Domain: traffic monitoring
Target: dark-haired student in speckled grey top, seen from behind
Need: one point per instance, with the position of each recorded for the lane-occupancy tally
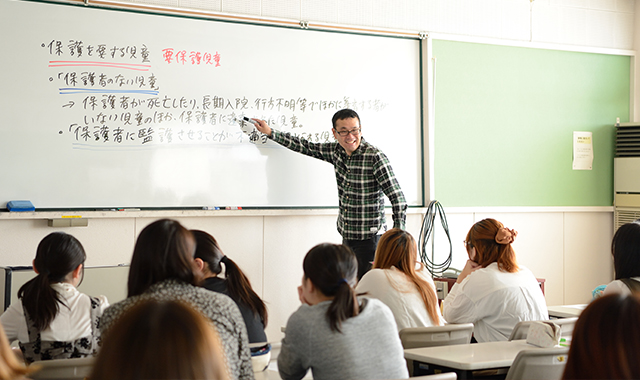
(163, 268)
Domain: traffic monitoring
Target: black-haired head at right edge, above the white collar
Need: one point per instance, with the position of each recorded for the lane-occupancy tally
(625, 248)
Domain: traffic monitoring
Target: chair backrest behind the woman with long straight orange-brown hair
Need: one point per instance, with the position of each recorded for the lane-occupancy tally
(414, 337)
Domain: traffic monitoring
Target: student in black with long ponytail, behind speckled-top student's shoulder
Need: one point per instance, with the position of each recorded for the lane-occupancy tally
(235, 284)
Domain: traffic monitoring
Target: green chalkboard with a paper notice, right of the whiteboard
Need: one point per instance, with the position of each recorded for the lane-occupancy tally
(504, 122)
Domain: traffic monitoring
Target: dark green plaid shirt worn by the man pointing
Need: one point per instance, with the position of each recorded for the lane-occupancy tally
(362, 180)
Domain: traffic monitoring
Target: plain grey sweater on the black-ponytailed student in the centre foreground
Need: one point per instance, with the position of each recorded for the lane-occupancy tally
(368, 347)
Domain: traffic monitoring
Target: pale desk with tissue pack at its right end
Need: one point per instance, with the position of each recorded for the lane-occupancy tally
(464, 359)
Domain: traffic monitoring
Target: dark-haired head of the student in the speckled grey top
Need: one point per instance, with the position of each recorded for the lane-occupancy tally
(164, 250)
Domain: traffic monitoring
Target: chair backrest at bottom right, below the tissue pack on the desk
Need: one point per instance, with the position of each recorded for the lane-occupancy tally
(543, 364)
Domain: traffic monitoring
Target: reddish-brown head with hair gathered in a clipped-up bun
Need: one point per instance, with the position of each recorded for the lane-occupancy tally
(488, 241)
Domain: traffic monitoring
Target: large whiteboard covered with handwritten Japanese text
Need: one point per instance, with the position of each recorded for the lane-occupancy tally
(105, 108)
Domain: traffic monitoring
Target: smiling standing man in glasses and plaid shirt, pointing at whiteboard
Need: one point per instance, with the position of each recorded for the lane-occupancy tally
(363, 175)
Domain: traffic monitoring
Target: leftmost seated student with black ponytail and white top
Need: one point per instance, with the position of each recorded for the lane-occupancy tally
(54, 320)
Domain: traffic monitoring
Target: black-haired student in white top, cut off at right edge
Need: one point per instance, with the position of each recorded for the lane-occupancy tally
(625, 248)
